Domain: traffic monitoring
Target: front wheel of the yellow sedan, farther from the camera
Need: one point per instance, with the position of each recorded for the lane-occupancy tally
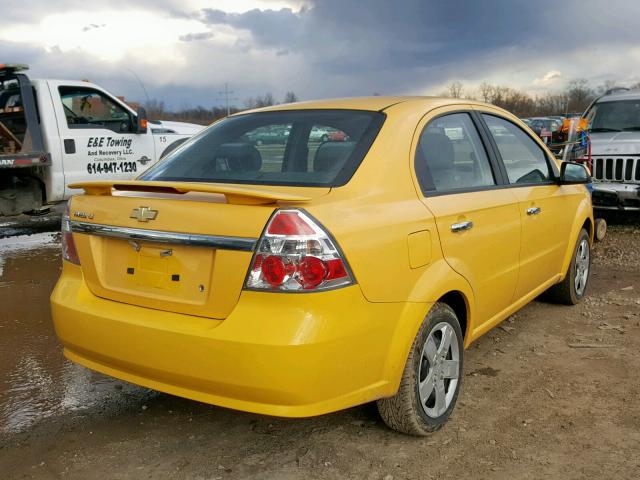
(571, 290)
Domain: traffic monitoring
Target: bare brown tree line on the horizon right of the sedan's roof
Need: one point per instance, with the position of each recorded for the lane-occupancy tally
(575, 97)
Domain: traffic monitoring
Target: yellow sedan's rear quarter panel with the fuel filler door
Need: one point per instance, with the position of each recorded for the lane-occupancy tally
(374, 217)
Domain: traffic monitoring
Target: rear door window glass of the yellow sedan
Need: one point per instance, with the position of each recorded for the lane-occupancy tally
(451, 156)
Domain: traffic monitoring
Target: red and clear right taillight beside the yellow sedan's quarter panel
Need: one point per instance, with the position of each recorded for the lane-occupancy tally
(296, 254)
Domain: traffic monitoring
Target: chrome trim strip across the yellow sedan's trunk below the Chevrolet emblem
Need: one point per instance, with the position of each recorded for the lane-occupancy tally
(157, 236)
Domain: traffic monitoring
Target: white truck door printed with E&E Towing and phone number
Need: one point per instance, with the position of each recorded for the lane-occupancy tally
(97, 135)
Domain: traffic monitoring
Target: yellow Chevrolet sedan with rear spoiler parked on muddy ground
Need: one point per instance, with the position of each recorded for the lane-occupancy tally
(297, 278)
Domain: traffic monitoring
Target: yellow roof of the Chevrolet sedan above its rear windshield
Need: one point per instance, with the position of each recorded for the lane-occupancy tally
(374, 103)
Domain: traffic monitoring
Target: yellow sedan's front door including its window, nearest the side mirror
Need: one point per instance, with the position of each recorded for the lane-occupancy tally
(545, 210)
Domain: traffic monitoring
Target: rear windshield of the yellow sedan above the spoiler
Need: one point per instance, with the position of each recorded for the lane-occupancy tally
(296, 147)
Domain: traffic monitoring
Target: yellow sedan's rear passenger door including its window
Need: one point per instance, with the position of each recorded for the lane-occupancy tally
(477, 219)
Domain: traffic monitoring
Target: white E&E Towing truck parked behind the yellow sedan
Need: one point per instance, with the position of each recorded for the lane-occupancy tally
(57, 132)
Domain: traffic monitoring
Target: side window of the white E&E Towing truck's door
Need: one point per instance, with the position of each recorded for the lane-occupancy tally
(88, 108)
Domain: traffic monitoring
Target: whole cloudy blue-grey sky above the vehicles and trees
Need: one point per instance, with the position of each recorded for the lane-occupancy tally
(185, 50)
